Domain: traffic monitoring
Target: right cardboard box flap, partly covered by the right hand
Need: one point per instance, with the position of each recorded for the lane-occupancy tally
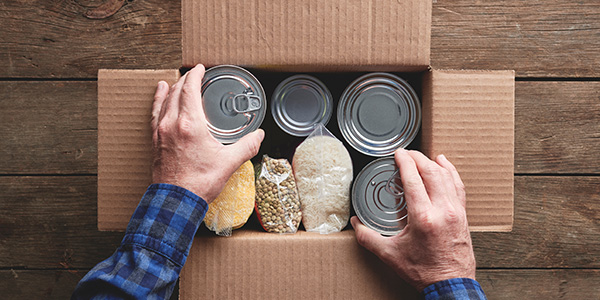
(469, 117)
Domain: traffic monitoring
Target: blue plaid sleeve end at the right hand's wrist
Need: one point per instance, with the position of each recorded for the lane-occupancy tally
(456, 288)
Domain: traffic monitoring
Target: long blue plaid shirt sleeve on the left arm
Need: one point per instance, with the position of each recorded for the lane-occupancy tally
(156, 244)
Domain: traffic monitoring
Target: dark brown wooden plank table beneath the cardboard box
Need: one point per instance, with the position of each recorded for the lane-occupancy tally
(50, 54)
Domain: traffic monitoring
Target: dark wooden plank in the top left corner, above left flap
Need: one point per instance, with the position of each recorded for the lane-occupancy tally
(54, 39)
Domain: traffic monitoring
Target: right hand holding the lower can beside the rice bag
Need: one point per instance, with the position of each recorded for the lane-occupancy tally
(436, 244)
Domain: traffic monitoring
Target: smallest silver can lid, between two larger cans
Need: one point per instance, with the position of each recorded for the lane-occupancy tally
(301, 102)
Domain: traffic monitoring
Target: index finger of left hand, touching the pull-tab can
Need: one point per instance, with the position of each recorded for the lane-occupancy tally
(191, 98)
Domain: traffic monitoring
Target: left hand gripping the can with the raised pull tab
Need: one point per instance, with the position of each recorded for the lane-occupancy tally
(185, 152)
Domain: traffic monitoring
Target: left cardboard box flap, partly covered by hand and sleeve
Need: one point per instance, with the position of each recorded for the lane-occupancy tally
(125, 141)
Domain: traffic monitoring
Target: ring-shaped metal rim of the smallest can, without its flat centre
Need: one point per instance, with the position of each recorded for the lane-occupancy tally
(289, 84)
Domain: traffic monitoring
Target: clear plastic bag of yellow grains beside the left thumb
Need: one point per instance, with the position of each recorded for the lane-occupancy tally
(234, 205)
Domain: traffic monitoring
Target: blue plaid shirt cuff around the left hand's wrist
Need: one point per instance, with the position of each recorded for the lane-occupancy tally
(166, 221)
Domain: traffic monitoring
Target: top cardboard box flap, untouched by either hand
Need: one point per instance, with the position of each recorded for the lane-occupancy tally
(381, 35)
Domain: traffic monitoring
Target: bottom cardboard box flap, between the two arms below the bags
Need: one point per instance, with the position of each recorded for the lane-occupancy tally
(260, 265)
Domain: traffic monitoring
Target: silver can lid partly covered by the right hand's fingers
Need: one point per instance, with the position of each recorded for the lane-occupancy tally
(378, 197)
